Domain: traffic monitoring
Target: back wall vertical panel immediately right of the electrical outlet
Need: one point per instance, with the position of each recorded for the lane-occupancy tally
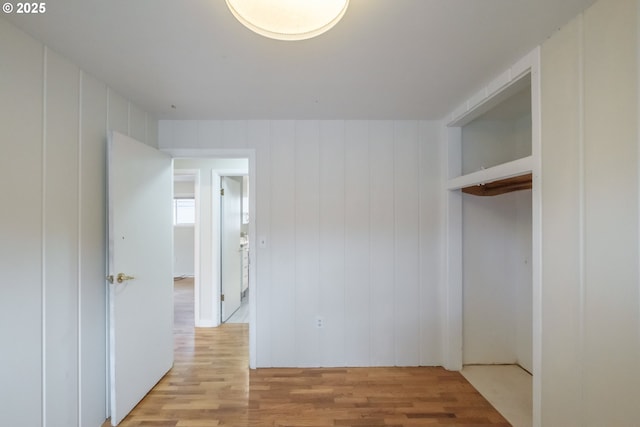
(332, 207)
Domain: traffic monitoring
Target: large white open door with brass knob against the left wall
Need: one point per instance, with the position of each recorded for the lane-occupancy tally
(140, 245)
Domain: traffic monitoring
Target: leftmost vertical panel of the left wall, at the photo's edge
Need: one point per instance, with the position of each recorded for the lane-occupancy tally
(21, 81)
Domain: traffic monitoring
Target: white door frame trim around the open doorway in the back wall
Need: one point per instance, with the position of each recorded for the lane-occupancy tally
(250, 154)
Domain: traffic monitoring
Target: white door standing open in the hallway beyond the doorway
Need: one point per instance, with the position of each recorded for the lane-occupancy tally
(231, 265)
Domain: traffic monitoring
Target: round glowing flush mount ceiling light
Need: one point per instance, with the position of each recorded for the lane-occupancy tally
(288, 19)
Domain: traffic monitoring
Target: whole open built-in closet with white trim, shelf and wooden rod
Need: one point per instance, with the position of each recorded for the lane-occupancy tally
(492, 276)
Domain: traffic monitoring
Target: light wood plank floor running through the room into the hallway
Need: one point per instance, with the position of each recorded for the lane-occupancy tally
(211, 385)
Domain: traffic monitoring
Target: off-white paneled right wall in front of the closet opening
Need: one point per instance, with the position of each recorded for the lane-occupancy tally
(590, 255)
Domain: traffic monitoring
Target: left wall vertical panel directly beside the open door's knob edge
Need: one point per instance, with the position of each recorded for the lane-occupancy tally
(93, 251)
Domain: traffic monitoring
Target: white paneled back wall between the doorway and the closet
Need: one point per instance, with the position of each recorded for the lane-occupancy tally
(351, 213)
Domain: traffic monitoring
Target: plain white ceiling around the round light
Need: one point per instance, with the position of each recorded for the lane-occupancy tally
(387, 59)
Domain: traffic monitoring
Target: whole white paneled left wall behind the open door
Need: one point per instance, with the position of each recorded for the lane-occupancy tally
(52, 234)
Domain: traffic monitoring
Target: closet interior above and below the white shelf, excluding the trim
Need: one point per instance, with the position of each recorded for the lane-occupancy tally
(496, 237)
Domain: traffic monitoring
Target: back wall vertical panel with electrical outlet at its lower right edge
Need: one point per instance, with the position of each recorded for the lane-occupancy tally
(307, 216)
